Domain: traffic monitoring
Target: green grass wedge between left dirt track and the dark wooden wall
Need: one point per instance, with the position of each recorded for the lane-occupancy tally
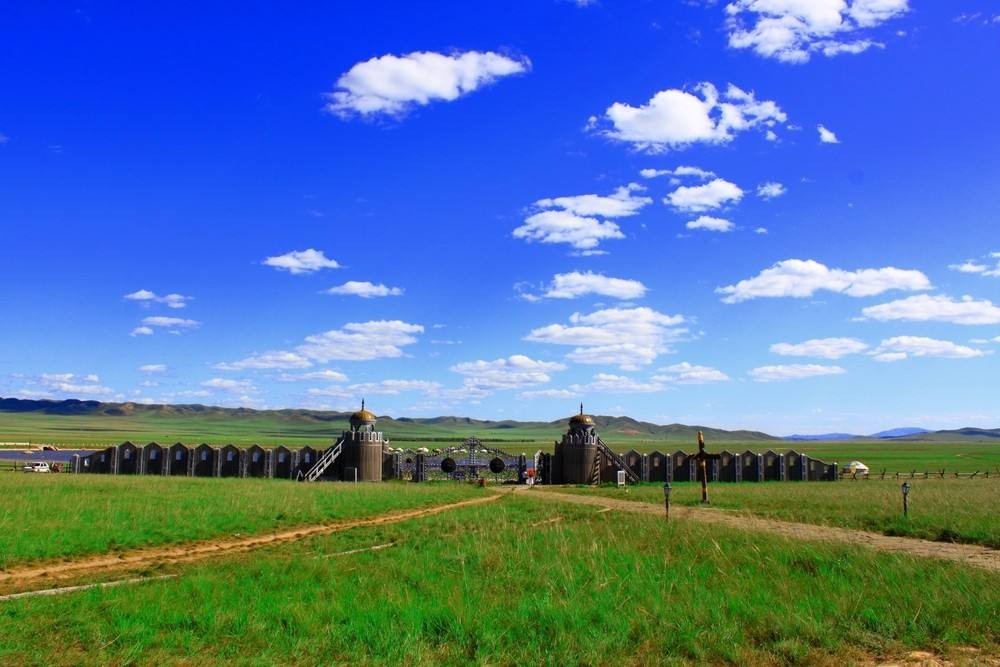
(57, 516)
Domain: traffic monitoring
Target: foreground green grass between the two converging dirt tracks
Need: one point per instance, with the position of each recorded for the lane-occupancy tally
(522, 582)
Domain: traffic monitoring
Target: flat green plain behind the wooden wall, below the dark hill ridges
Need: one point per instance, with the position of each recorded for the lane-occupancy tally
(272, 428)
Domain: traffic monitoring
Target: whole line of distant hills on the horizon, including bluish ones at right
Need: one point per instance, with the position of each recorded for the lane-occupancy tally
(76, 421)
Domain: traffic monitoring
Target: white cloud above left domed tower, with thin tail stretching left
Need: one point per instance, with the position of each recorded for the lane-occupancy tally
(356, 341)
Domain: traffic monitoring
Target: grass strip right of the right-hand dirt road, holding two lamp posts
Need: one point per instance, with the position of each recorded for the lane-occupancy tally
(954, 510)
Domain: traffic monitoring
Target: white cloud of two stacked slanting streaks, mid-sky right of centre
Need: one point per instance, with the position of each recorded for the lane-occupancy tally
(575, 220)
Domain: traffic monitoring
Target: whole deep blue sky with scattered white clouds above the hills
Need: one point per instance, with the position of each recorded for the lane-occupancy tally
(495, 200)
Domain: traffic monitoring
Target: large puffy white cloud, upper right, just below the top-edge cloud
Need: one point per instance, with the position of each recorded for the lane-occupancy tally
(675, 119)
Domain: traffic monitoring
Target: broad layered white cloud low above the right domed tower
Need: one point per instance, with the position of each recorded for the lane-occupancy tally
(625, 337)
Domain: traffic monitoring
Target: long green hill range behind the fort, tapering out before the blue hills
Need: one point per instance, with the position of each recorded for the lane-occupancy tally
(41, 417)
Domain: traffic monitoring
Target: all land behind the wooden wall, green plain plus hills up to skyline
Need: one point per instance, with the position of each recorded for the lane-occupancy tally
(74, 423)
